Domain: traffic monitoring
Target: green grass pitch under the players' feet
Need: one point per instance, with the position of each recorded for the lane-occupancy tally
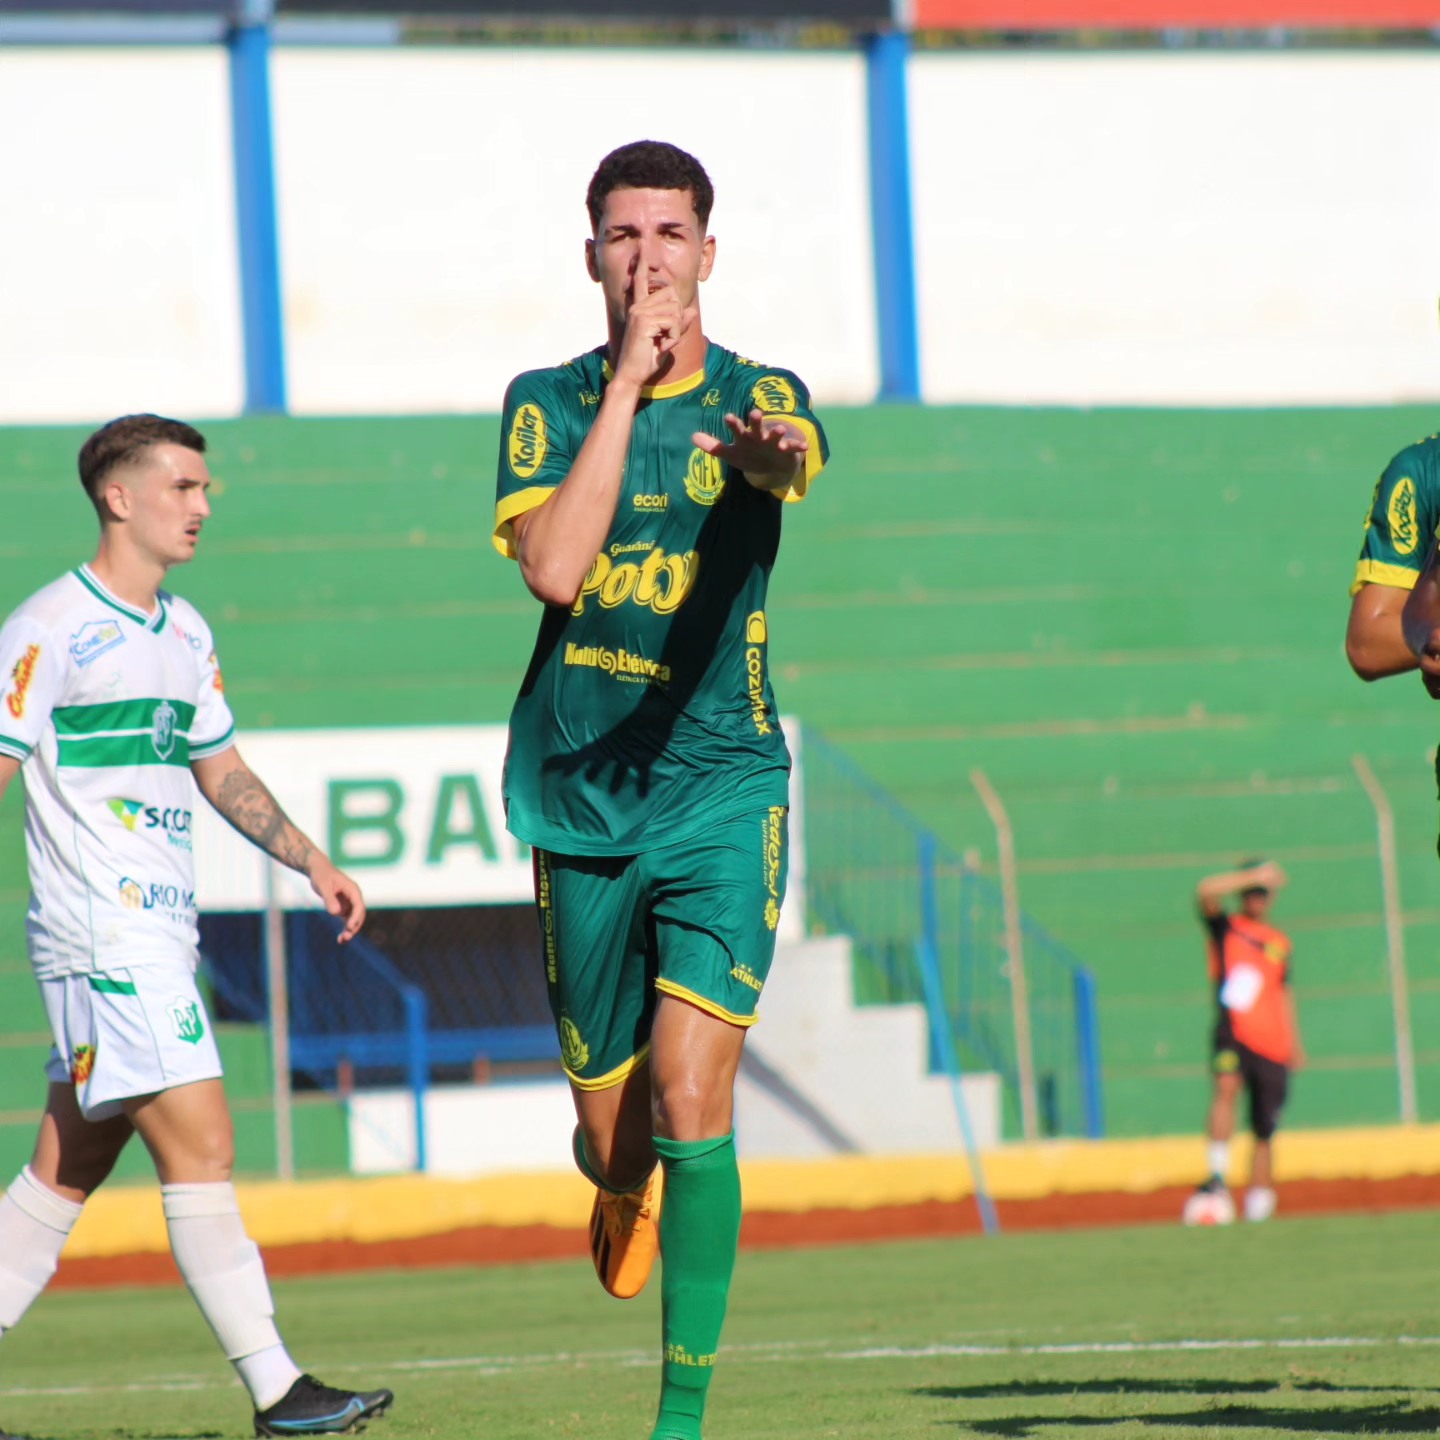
(1300, 1328)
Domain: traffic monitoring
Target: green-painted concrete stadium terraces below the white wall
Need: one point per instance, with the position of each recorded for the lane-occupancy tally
(1130, 620)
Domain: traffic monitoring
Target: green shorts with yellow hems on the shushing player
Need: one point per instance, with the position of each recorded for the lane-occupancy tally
(695, 921)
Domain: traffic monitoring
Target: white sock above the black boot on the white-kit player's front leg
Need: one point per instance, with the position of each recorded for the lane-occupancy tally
(222, 1266)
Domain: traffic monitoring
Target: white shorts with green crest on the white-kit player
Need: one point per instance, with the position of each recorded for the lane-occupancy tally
(127, 1033)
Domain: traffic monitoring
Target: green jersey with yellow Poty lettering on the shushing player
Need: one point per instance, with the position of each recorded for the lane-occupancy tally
(647, 714)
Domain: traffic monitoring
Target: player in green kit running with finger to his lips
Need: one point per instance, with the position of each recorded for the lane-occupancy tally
(642, 489)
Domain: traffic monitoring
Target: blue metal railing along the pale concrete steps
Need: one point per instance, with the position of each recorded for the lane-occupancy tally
(930, 928)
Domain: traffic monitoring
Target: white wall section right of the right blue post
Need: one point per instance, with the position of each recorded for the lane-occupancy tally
(1190, 230)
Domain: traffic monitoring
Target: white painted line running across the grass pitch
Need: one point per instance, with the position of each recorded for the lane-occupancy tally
(750, 1354)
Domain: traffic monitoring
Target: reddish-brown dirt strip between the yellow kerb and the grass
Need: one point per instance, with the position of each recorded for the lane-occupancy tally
(770, 1230)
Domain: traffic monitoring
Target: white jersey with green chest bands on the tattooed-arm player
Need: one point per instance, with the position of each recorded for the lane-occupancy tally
(107, 706)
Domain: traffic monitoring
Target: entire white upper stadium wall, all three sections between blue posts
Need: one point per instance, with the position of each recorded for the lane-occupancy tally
(1150, 228)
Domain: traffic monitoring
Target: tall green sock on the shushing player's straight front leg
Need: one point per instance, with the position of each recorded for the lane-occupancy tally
(699, 1233)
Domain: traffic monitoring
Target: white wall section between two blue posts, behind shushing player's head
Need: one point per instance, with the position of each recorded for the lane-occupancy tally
(433, 214)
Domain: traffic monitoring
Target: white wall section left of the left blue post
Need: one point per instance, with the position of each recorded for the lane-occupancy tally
(119, 283)
